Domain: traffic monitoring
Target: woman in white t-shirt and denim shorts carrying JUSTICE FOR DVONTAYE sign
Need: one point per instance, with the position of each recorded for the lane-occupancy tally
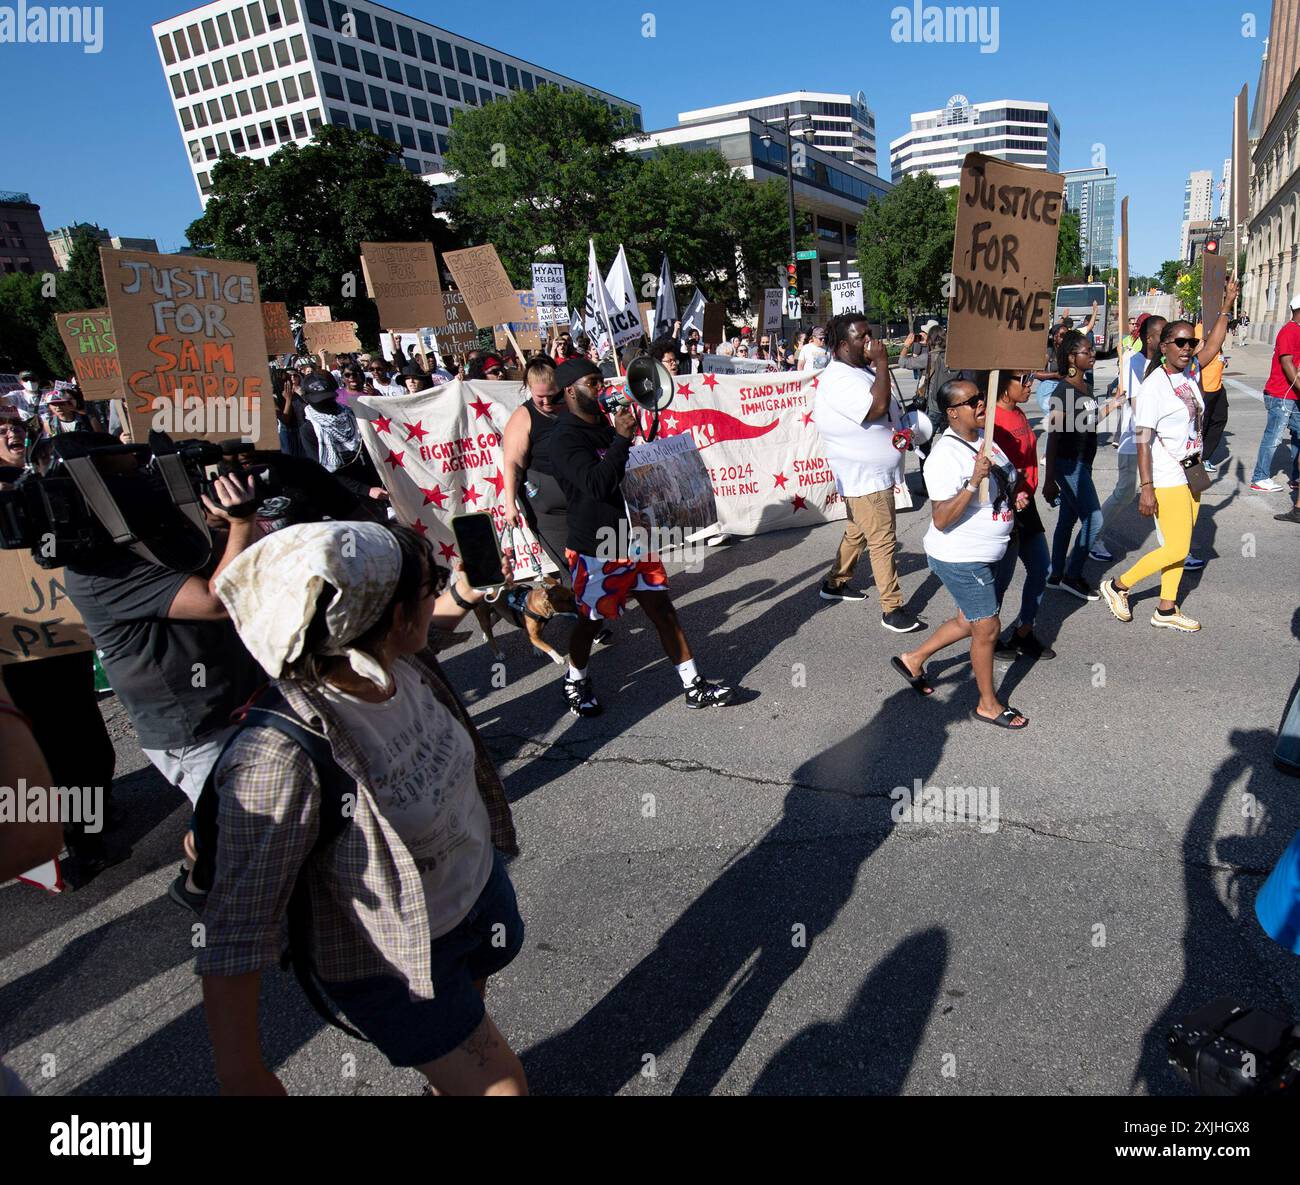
(967, 540)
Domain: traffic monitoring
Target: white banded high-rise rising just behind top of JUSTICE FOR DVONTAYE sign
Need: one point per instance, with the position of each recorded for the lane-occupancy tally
(1011, 129)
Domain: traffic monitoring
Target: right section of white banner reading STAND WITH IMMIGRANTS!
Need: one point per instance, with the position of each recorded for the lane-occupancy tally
(765, 457)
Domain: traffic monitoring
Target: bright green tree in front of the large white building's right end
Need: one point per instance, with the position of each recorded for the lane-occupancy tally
(539, 172)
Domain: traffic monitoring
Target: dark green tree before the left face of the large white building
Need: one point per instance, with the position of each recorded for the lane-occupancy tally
(302, 214)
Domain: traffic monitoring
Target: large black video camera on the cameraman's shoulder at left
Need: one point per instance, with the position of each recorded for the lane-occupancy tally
(83, 500)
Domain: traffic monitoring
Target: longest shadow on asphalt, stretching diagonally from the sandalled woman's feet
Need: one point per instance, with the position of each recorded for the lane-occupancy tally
(800, 874)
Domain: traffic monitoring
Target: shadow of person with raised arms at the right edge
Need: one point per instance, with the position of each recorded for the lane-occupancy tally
(1220, 956)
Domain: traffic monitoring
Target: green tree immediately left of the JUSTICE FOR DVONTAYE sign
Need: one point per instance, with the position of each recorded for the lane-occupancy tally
(905, 248)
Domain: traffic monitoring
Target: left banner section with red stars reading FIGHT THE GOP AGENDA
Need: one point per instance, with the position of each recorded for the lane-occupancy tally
(439, 454)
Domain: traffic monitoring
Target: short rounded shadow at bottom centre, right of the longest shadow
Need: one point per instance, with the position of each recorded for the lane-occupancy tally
(874, 1047)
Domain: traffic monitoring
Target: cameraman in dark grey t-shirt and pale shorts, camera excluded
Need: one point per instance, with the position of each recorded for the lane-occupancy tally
(167, 643)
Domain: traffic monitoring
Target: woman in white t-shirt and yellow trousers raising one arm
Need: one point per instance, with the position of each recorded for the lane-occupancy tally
(1168, 416)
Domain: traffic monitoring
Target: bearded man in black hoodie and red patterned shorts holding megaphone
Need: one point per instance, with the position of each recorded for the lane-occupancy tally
(590, 459)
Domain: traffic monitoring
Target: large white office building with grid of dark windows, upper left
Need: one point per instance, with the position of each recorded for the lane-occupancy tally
(252, 77)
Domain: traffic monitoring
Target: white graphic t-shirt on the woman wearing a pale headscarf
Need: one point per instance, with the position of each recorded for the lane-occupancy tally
(422, 766)
